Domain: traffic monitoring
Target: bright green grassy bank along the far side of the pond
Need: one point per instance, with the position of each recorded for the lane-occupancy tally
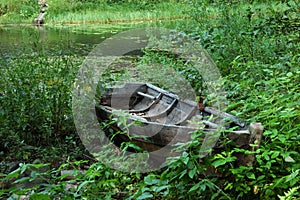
(63, 12)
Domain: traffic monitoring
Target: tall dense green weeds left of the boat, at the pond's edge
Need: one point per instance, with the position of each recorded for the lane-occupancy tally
(36, 97)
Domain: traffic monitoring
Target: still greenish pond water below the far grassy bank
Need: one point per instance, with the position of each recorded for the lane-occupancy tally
(76, 39)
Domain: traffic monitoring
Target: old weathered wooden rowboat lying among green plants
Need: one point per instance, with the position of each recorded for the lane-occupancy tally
(156, 118)
